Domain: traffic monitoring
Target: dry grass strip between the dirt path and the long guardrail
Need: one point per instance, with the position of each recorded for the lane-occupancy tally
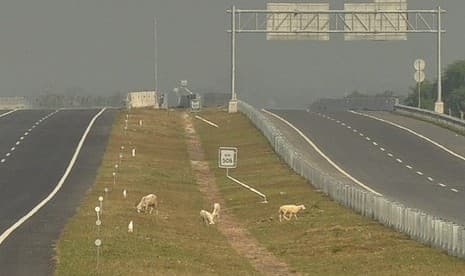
(328, 239)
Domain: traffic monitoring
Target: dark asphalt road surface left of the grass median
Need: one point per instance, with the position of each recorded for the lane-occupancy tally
(36, 147)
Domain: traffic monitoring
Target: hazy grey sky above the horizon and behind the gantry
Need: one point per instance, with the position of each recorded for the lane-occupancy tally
(104, 46)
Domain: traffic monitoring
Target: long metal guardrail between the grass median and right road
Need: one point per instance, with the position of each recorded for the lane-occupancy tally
(419, 225)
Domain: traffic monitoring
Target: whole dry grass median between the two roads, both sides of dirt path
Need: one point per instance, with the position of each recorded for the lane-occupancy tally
(326, 240)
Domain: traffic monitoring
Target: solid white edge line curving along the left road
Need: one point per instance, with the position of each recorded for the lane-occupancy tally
(58, 186)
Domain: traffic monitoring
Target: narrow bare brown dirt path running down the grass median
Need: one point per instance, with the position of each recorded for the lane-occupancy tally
(238, 236)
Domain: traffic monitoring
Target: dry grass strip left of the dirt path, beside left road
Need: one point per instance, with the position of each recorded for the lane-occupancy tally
(173, 243)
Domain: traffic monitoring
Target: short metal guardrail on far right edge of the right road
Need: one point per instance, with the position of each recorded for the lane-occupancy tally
(452, 122)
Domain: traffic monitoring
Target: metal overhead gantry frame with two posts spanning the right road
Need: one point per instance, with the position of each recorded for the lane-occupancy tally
(417, 21)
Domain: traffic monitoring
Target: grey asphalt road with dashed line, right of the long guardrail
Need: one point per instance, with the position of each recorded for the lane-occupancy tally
(390, 160)
